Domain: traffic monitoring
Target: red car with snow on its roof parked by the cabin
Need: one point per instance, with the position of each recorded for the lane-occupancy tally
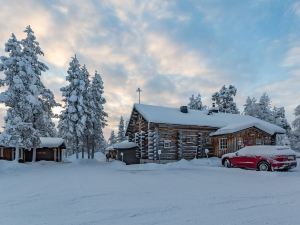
(261, 157)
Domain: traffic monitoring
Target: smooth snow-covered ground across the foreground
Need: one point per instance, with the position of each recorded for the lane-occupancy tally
(95, 192)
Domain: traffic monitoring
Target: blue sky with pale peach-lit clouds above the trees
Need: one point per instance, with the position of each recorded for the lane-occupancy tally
(170, 49)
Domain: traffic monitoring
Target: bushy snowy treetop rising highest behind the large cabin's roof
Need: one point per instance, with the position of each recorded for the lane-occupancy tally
(224, 99)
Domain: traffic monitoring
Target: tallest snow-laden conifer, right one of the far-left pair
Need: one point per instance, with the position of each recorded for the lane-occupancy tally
(33, 68)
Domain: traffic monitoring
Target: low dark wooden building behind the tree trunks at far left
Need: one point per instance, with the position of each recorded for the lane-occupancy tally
(50, 149)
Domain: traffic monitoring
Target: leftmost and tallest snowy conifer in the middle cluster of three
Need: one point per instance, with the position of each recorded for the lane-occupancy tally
(72, 123)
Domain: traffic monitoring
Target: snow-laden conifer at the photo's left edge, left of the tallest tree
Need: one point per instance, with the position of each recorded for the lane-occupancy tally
(18, 130)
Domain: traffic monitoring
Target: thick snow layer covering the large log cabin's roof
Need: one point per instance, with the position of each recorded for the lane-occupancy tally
(228, 122)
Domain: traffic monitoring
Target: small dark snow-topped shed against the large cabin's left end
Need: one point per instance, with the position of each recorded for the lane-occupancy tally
(125, 151)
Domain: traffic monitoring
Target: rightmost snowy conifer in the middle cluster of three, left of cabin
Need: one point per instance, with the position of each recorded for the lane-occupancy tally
(96, 92)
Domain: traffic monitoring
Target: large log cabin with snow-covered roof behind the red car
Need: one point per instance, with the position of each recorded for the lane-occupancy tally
(170, 134)
